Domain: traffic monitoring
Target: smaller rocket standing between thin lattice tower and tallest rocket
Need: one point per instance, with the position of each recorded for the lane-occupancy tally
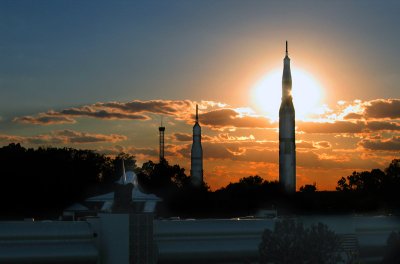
(196, 169)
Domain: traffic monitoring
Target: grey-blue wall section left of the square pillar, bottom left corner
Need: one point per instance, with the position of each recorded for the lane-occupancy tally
(47, 242)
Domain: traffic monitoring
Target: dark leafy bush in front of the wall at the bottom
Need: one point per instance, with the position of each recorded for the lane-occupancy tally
(290, 242)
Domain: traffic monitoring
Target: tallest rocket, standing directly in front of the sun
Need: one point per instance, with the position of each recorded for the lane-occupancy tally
(287, 146)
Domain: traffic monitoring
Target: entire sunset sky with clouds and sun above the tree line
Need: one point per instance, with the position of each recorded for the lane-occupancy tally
(100, 75)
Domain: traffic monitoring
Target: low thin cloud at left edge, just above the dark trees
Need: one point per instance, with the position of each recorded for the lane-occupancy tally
(64, 137)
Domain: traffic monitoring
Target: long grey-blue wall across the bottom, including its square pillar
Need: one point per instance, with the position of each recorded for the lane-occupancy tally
(114, 238)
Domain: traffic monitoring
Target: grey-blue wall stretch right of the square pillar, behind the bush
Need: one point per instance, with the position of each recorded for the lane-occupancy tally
(236, 241)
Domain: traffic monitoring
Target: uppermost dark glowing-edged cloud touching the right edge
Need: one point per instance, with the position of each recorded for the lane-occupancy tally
(383, 108)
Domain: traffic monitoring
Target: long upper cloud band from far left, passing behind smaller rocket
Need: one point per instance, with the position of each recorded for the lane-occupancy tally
(212, 114)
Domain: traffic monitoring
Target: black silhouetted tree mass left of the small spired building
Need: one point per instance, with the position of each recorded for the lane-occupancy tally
(43, 181)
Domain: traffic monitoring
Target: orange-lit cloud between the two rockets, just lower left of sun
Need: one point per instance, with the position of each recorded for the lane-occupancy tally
(230, 118)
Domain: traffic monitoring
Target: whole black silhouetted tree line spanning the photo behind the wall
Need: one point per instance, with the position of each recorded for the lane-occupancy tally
(43, 181)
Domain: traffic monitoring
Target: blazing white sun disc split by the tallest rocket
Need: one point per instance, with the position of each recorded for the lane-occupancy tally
(307, 94)
